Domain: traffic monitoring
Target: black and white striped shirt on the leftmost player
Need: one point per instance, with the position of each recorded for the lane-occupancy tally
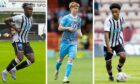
(25, 23)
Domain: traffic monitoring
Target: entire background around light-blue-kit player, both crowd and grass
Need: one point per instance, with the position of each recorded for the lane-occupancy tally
(83, 63)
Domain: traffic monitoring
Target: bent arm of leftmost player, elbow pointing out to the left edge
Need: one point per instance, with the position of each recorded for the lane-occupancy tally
(8, 21)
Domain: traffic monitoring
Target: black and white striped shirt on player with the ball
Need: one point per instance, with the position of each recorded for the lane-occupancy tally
(115, 30)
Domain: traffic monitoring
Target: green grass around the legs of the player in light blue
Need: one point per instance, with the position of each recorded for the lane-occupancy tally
(81, 73)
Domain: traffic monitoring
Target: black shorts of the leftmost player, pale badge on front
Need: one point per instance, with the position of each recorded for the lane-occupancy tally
(23, 47)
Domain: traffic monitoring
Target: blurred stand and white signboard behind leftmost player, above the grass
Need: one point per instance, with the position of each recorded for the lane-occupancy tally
(9, 8)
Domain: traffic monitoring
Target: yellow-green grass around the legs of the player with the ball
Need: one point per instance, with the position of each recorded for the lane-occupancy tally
(131, 68)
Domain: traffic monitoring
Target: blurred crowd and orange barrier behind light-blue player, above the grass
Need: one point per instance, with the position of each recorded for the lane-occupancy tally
(58, 9)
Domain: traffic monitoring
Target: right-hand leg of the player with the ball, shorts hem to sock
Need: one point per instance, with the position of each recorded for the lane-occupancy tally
(121, 53)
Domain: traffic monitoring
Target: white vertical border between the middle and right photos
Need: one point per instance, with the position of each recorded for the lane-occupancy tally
(93, 61)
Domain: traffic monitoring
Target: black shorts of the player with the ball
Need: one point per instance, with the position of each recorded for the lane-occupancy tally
(117, 49)
